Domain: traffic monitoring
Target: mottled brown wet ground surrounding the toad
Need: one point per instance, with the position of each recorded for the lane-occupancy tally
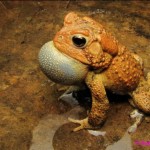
(26, 95)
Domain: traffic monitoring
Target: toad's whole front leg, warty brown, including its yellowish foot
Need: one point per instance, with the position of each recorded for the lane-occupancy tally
(100, 104)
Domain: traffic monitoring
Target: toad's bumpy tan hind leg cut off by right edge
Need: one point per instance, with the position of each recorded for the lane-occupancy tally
(141, 96)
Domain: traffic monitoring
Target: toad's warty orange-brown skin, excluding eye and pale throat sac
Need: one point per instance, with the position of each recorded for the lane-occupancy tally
(112, 65)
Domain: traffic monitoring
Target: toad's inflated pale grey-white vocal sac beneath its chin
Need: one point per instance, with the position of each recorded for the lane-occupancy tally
(59, 67)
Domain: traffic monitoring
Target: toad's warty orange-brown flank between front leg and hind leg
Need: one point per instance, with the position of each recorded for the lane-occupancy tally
(124, 72)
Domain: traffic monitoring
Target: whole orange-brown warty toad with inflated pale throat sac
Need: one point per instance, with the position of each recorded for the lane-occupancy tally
(83, 52)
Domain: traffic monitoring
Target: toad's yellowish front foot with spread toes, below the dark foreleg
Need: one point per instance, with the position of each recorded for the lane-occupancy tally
(83, 124)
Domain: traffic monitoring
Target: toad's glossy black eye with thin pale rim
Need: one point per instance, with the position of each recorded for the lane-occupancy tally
(79, 41)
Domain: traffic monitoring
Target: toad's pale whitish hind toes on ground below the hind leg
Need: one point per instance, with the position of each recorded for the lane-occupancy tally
(138, 116)
